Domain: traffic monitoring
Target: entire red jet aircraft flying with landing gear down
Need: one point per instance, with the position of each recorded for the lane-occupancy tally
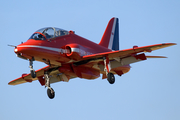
(68, 56)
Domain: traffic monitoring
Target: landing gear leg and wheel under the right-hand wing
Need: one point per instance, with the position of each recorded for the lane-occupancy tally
(107, 68)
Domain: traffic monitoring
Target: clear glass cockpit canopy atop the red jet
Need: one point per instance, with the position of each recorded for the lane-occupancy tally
(48, 32)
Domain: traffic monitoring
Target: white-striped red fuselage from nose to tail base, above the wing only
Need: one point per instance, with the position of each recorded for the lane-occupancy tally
(54, 49)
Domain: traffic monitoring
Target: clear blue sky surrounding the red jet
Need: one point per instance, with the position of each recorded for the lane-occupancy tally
(150, 91)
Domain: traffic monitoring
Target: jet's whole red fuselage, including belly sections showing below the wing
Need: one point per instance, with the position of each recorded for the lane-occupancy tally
(66, 49)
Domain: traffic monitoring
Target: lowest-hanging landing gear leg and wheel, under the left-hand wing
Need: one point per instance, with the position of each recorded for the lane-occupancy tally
(50, 91)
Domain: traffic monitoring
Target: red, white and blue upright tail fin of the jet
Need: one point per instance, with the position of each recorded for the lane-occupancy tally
(110, 38)
